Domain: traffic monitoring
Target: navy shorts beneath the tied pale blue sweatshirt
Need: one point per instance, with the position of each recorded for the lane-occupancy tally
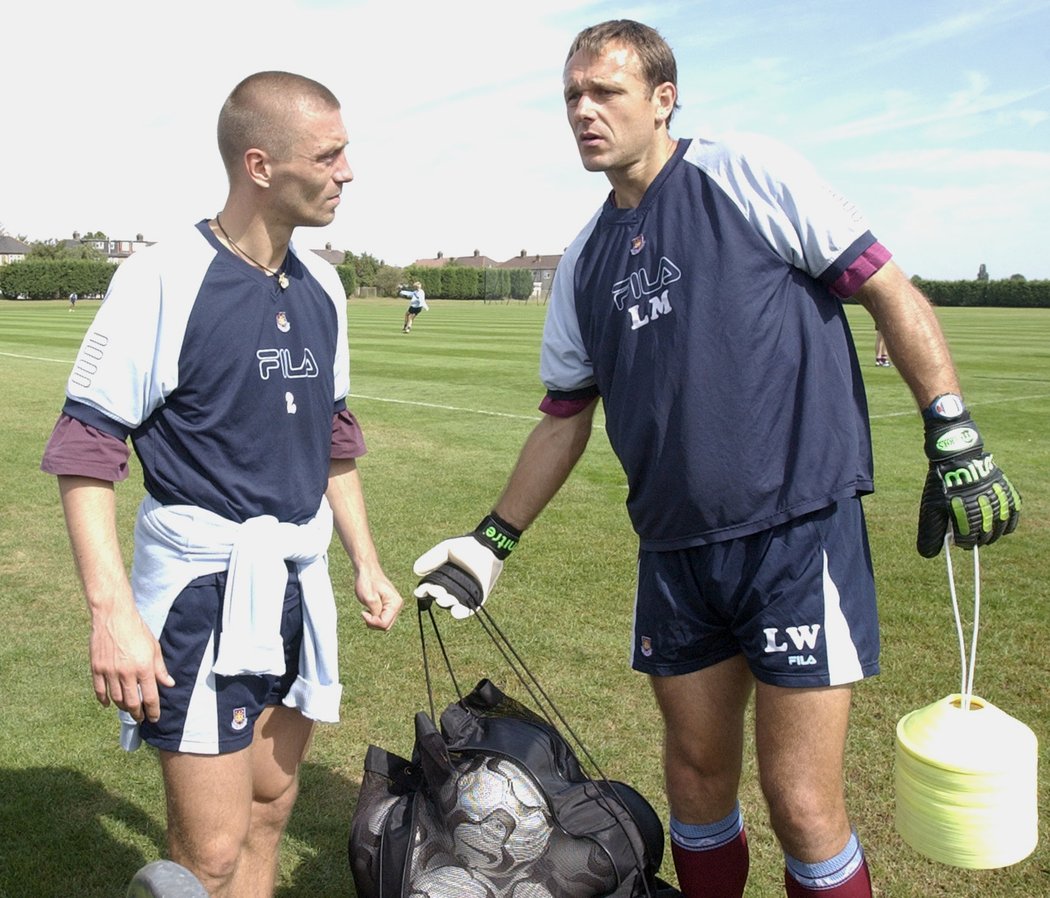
(204, 714)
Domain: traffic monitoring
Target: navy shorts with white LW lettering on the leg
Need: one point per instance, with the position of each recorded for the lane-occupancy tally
(797, 601)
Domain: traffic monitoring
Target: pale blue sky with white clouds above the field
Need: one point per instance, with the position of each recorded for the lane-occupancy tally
(934, 117)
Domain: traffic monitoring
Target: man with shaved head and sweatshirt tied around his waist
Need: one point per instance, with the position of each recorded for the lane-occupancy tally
(222, 357)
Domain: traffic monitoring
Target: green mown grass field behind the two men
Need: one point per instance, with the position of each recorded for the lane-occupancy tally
(445, 411)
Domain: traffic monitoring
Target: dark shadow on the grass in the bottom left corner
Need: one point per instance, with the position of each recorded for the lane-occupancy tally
(62, 836)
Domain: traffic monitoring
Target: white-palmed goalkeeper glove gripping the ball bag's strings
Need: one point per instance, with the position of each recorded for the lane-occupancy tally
(460, 573)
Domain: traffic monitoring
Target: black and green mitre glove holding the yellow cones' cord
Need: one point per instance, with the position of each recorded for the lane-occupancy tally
(963, 486)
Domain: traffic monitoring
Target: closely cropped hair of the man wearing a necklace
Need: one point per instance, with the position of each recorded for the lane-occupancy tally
(259, 113)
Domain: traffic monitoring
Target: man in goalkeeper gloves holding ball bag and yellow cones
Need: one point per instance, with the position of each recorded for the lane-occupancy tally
(703, 307)
